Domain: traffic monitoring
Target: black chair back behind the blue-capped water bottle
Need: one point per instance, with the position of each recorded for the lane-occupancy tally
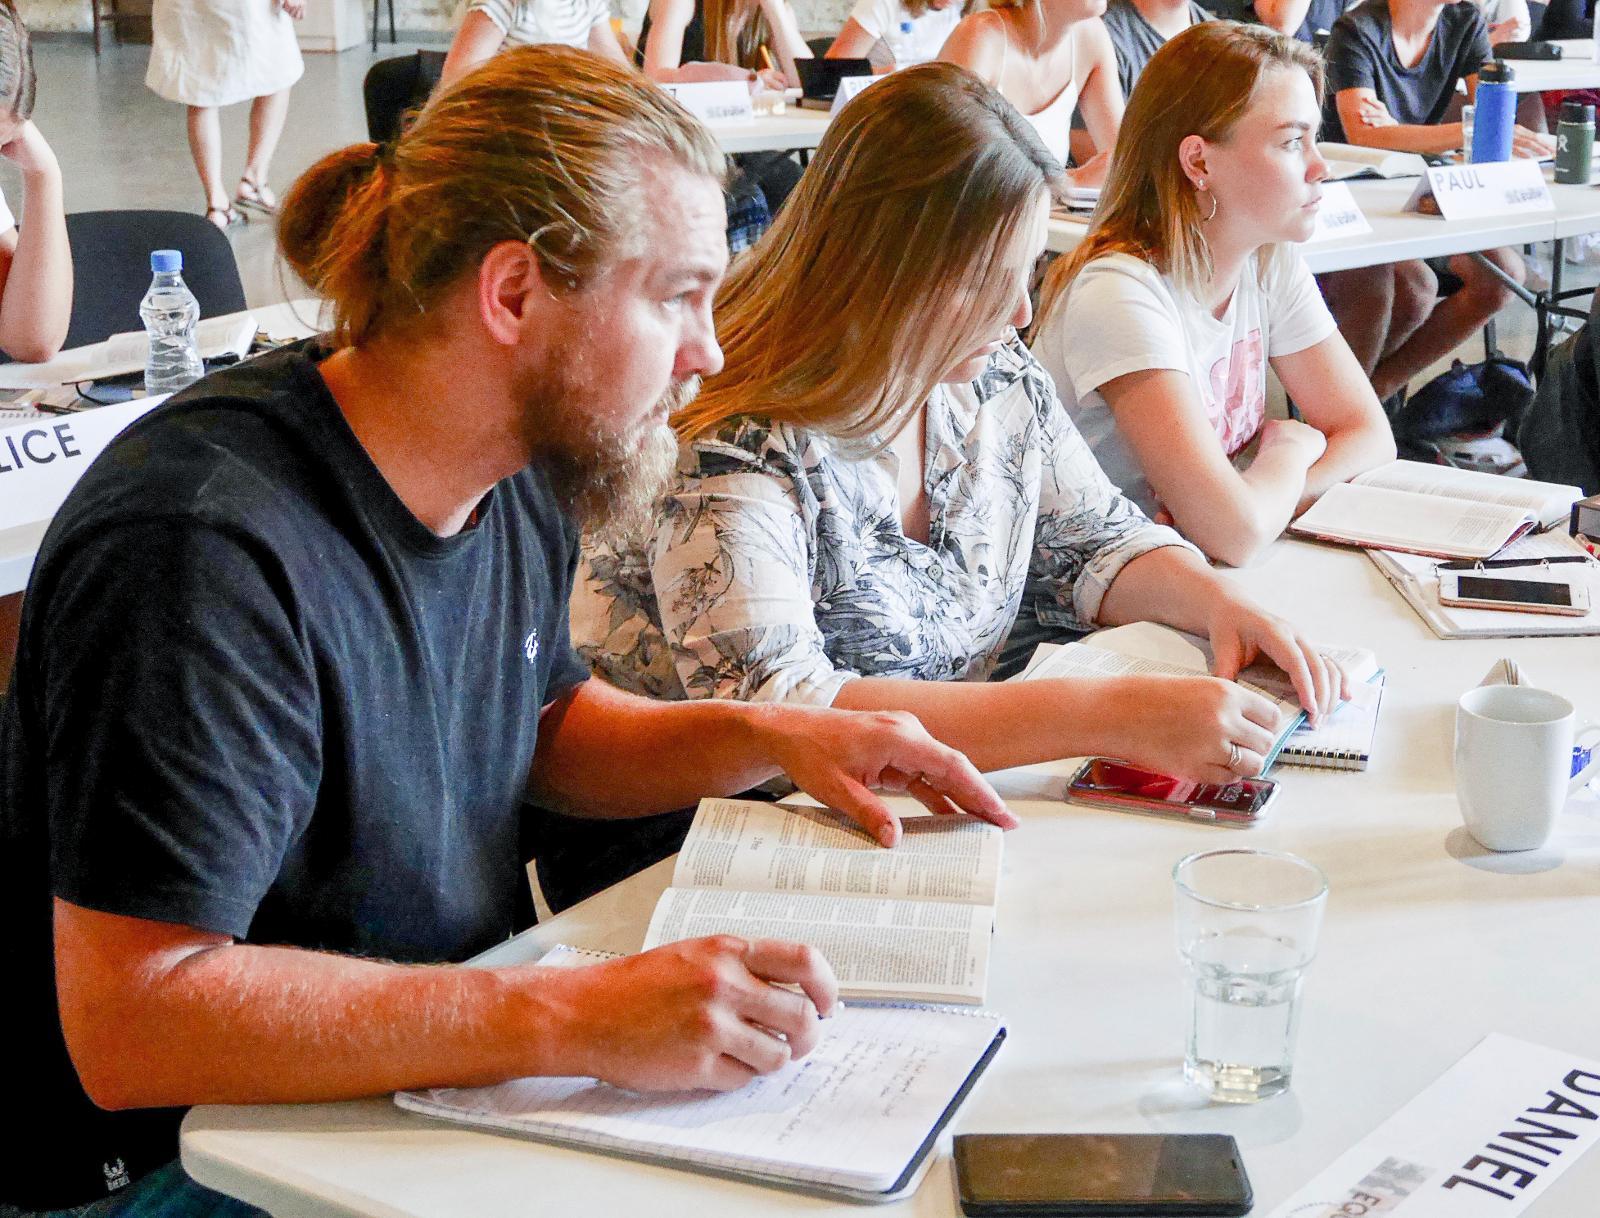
(111, 268)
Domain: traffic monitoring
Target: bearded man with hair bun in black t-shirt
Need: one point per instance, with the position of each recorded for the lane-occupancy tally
(295, 654)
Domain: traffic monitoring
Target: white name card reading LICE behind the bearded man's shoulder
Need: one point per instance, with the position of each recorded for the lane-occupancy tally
(42, 460)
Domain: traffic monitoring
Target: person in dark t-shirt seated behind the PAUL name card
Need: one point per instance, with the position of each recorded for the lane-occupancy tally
(1393, 73)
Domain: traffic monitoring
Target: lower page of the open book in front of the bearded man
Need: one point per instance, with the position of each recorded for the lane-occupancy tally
(932, 952)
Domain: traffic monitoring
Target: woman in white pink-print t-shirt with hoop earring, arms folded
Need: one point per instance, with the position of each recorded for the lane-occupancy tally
(1161, 326)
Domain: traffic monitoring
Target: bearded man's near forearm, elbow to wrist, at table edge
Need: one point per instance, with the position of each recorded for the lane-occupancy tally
(241, 1024)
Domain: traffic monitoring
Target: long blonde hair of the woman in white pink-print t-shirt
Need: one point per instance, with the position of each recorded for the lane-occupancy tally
(1201, 84)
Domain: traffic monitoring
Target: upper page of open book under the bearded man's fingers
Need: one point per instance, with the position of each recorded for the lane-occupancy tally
(772, 847)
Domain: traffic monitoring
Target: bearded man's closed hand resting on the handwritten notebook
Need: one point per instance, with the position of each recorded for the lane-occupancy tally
(703, 1014)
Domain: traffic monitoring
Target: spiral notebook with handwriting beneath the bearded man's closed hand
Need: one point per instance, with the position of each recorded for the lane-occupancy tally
(857, 1118)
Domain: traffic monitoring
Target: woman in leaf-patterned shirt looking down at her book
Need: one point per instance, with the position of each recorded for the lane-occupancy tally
(871, 505)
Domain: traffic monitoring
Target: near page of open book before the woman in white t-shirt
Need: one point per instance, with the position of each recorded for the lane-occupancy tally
(1422, 524)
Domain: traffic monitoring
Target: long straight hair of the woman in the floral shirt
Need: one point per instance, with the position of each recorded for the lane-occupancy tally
(889, 265)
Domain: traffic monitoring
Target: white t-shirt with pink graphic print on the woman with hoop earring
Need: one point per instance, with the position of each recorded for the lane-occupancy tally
(1122, 316)
